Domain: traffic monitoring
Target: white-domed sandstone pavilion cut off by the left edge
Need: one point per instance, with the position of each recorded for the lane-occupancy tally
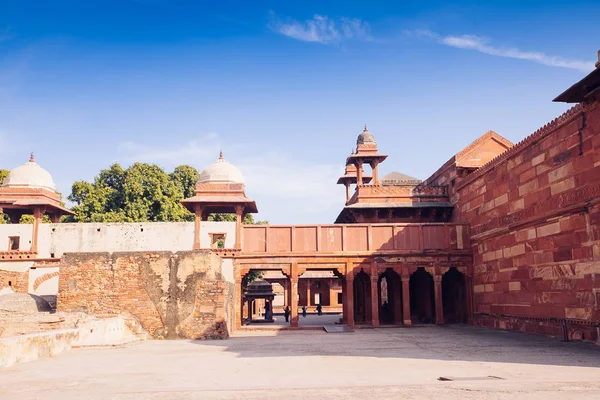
(29, 189)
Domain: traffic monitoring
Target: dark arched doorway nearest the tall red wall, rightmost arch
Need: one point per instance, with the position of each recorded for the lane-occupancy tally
(454, 297)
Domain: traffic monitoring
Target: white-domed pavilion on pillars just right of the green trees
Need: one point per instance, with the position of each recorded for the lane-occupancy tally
(220, 189)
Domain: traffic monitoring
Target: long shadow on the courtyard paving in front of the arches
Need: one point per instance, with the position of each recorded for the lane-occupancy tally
(452, 342)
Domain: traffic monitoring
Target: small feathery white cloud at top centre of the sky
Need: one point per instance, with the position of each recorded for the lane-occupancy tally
(322, 29)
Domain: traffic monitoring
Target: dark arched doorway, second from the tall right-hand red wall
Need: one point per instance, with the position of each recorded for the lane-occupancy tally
(422, 297)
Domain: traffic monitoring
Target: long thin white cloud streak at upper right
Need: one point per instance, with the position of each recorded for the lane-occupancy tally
(483, 45)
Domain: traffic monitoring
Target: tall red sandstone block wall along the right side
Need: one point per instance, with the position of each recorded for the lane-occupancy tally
(535, 224)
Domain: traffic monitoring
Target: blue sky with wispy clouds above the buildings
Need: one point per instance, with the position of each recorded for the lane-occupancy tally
(283, 88)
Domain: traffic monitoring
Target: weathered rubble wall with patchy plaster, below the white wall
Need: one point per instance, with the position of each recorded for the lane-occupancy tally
(173, 295)
